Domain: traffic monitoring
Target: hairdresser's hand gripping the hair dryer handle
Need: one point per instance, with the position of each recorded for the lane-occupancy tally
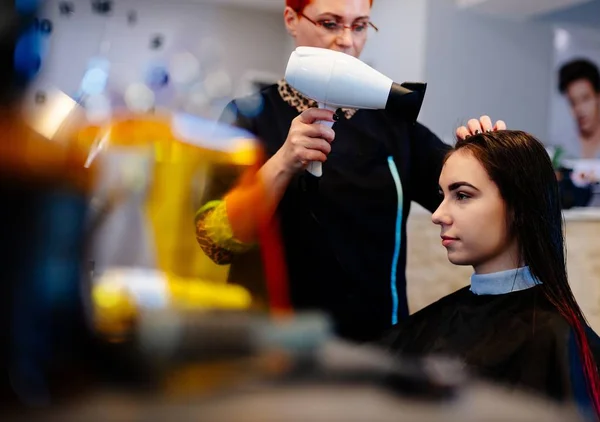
(307, 140)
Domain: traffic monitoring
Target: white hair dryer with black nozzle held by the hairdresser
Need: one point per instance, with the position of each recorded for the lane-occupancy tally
(338, 80)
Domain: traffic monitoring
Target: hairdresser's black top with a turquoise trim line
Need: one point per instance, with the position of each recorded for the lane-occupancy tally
(344, 234)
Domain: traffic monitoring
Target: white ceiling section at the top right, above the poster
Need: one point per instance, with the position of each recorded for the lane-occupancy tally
(518, 8)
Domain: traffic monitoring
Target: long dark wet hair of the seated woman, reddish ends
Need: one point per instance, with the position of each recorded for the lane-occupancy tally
(521, 168)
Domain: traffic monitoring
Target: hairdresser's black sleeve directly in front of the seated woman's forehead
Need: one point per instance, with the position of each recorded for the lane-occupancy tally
(427, 157)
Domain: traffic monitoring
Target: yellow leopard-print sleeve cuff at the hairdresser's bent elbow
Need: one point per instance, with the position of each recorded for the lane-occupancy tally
(214, 234)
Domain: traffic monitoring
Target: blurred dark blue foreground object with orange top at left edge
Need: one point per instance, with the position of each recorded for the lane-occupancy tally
(44, 189)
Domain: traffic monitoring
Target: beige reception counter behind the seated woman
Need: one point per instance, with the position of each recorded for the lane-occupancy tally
(430, 276)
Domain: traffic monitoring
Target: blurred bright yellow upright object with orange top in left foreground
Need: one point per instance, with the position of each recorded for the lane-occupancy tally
(183, 163)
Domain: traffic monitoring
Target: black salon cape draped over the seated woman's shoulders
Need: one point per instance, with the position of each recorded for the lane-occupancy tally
(517, 339)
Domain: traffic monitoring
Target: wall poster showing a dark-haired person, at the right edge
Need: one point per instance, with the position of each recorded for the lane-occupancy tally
(575, 114)
